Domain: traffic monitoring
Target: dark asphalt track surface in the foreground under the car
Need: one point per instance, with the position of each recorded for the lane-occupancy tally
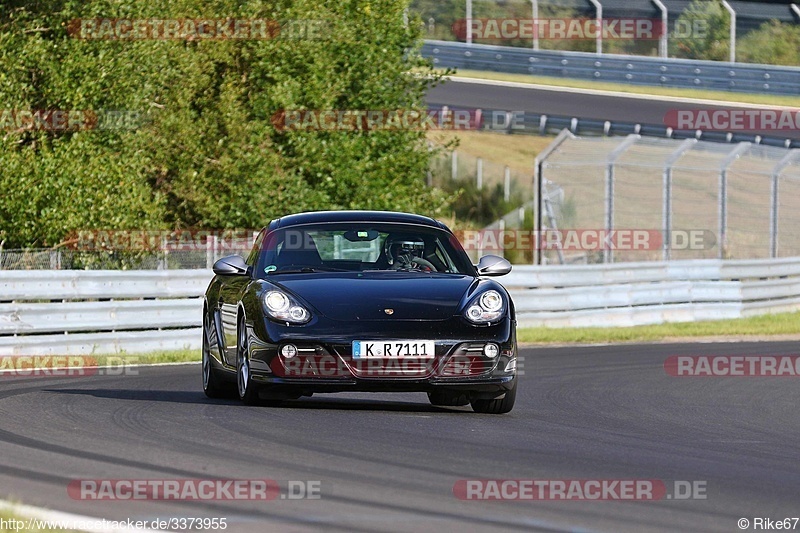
(389, 462)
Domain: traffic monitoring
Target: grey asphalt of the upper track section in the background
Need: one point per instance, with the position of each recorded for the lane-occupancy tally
(616, 108)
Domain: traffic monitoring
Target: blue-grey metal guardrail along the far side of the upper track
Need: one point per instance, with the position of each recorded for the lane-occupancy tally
(635, 70)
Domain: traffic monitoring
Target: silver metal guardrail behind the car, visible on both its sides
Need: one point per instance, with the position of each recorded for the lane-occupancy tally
(556, 296)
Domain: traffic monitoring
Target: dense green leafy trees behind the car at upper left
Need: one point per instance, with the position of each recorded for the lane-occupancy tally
(208, 153)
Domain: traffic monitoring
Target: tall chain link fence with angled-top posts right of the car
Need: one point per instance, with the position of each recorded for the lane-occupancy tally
(688, 199)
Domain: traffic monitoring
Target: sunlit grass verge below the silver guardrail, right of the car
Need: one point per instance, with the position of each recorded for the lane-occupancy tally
(757, 327)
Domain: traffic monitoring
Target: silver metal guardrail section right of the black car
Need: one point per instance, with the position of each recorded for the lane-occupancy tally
(629, 294)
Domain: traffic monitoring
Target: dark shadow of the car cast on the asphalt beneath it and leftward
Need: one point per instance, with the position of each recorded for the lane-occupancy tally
(194, 397)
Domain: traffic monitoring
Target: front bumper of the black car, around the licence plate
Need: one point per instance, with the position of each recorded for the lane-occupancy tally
(324, 361)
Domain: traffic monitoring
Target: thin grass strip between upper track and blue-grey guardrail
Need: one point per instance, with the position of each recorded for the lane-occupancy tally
(703, 94)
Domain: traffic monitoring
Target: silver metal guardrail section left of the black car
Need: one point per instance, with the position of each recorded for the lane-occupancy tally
(83, 312)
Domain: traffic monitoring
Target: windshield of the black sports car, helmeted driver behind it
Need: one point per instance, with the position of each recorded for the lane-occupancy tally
(362, 247)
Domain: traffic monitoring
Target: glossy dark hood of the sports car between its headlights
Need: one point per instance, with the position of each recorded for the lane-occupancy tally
(380, 295)
